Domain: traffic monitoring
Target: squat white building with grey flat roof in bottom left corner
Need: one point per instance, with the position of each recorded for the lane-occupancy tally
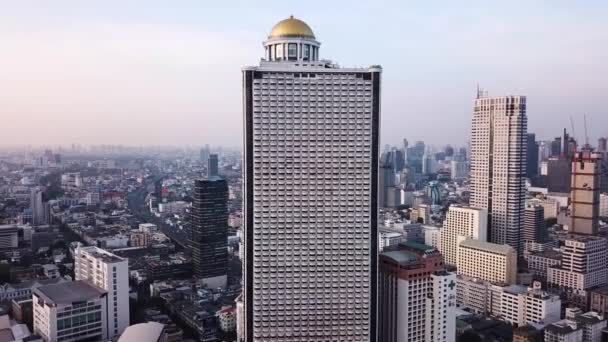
(70, 311)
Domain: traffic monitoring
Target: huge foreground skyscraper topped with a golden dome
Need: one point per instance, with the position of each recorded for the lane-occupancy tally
(311, 238)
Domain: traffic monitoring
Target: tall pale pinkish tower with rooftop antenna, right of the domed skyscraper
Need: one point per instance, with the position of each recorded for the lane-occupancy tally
(498, 165)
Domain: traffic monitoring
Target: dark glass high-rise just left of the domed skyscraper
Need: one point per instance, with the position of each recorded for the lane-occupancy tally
(209, 235)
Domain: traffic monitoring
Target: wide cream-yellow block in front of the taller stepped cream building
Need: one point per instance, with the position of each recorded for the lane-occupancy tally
(488, 261)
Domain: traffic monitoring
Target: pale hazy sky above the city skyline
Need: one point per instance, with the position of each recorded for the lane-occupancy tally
(168, 72)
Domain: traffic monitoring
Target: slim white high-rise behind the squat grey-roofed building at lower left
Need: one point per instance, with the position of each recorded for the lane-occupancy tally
(111, 273)
